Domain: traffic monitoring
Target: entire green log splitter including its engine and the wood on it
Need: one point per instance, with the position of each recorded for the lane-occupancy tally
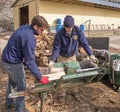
(70, 74)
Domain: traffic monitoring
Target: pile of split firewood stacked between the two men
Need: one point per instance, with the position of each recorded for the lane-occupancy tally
(43, 49)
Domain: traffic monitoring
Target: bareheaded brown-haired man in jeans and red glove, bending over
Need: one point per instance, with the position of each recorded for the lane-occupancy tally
(19, 51)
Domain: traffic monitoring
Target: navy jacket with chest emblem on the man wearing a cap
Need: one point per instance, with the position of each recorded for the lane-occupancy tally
(67, 45)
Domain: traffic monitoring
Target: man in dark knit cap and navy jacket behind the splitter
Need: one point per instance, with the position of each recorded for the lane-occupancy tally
(65, 45)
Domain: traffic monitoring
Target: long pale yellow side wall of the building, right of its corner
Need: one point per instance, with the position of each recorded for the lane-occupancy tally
(52, 11)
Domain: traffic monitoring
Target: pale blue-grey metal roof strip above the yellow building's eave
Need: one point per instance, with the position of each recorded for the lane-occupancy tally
(101, 2)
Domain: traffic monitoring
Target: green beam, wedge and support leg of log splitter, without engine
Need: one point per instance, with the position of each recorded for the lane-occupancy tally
(73, 75)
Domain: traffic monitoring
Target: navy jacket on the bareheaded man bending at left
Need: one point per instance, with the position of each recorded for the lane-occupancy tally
(20, 49)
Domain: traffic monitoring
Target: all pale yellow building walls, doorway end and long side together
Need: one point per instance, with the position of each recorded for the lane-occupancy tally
(53, 10)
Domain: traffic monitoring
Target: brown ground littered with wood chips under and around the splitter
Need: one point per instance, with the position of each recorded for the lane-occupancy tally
(94, 97)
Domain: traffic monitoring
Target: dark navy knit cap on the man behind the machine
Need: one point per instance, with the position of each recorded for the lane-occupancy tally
(68, 21)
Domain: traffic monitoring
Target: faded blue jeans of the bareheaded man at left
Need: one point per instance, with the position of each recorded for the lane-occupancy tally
(16, 79)
